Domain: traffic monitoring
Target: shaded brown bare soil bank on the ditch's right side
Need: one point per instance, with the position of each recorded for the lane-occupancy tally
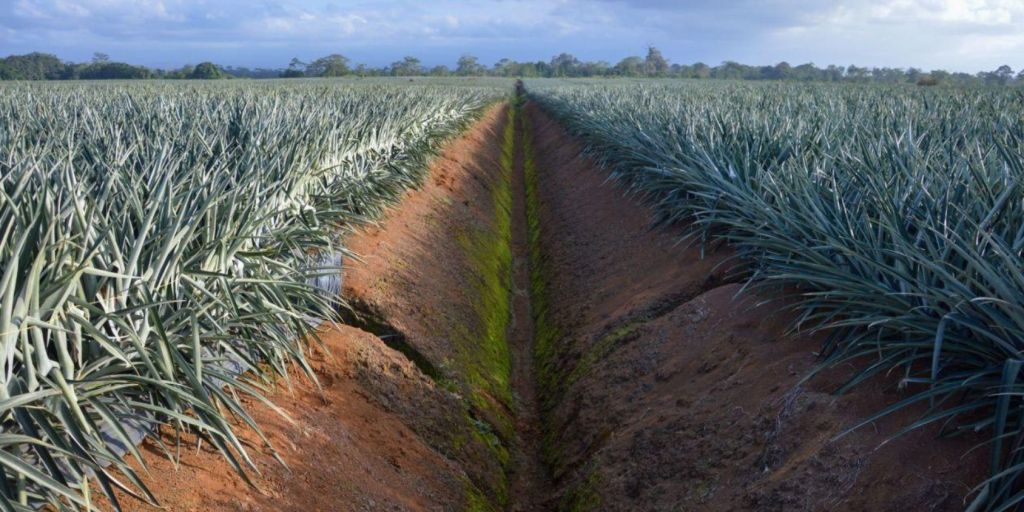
(669, 390)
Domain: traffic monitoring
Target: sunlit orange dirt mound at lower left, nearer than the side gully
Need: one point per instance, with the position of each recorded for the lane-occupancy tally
(346, 450)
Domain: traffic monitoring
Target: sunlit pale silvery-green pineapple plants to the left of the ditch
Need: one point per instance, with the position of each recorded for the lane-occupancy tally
(156, 241)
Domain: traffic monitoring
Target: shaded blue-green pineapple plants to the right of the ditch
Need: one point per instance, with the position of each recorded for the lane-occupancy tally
(895, 214)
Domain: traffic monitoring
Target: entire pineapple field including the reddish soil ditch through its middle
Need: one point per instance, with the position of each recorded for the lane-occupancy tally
(457, 294)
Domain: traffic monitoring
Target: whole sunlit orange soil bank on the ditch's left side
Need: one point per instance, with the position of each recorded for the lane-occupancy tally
(390, 431)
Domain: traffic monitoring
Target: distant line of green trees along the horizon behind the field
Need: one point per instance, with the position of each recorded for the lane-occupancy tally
(655, 65)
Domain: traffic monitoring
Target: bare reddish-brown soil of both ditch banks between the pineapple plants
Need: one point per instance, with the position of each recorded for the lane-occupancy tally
(663, 389)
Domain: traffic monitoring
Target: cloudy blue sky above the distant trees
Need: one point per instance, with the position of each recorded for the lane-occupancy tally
(956, 35)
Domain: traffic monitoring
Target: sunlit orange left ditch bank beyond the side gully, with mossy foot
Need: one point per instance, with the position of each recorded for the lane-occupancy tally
(415, 276)
